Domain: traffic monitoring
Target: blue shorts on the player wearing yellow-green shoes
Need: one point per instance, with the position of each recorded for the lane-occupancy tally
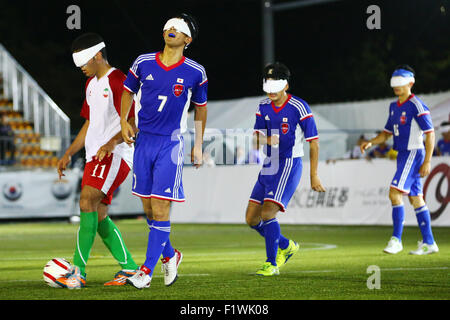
(280, 186)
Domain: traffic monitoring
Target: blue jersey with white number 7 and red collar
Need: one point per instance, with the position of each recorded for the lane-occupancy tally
(166, 92)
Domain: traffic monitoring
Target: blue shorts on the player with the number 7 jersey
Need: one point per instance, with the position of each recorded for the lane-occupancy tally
(158, 167)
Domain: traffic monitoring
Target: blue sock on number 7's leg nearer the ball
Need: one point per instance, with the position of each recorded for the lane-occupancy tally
(157, 240)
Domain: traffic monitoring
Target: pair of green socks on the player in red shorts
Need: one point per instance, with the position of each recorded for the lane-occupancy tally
(111, 237)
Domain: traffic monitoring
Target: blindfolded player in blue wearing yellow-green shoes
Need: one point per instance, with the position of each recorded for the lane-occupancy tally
(282, 122)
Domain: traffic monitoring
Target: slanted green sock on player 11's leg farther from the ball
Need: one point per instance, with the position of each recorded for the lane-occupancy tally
(112, 238)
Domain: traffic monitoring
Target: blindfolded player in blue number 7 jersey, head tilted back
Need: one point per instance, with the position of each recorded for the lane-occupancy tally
(166, 83)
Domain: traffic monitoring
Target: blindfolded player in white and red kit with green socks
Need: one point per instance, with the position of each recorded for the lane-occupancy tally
(108, 160)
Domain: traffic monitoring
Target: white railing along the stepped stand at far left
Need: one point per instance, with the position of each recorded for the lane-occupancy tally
(27, 96)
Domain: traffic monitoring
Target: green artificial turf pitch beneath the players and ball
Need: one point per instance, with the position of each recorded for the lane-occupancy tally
(220, 261)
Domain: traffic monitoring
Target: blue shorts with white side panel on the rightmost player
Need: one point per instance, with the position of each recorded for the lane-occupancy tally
(407, 178)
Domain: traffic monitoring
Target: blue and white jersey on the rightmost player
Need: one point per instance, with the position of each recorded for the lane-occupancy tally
(407, 122)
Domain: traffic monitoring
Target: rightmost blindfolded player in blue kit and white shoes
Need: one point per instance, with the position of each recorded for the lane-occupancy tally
(409, 119)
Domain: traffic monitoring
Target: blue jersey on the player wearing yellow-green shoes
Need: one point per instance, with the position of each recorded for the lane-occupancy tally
(292, 121)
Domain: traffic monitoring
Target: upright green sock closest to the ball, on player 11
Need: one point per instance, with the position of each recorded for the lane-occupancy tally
(85, 239)
